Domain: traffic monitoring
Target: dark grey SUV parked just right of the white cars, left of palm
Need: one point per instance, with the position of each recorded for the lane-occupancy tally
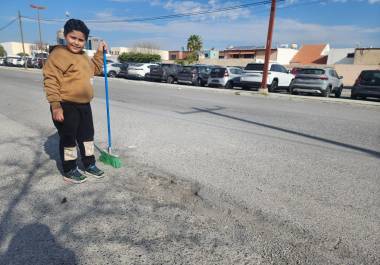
(164, 72)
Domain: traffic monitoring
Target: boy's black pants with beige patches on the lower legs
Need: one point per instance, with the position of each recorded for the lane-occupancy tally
(76, 129)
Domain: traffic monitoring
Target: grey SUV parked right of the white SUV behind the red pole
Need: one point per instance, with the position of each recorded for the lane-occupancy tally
(323, 81)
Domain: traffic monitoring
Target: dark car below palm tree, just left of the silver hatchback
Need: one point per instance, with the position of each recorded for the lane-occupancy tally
(195, 74)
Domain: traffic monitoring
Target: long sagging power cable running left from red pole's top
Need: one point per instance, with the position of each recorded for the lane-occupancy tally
(179, 15)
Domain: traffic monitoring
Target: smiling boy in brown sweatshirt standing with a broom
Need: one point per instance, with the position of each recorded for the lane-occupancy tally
(68, 76)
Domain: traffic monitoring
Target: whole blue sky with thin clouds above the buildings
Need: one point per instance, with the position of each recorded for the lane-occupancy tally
(342, 23)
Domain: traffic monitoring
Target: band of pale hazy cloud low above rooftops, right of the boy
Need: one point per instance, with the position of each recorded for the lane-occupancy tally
(252, 31)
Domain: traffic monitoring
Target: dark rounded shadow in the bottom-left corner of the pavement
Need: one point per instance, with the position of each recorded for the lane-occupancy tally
(35, 244)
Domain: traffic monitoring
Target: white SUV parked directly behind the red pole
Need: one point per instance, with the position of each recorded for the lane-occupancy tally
(278, 76)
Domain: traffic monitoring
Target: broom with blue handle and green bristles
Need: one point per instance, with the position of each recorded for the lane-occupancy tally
(106, 156)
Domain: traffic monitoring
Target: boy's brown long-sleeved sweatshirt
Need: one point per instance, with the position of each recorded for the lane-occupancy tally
(68, 76)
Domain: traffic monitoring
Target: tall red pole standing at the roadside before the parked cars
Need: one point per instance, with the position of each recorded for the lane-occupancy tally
(264, 89)
